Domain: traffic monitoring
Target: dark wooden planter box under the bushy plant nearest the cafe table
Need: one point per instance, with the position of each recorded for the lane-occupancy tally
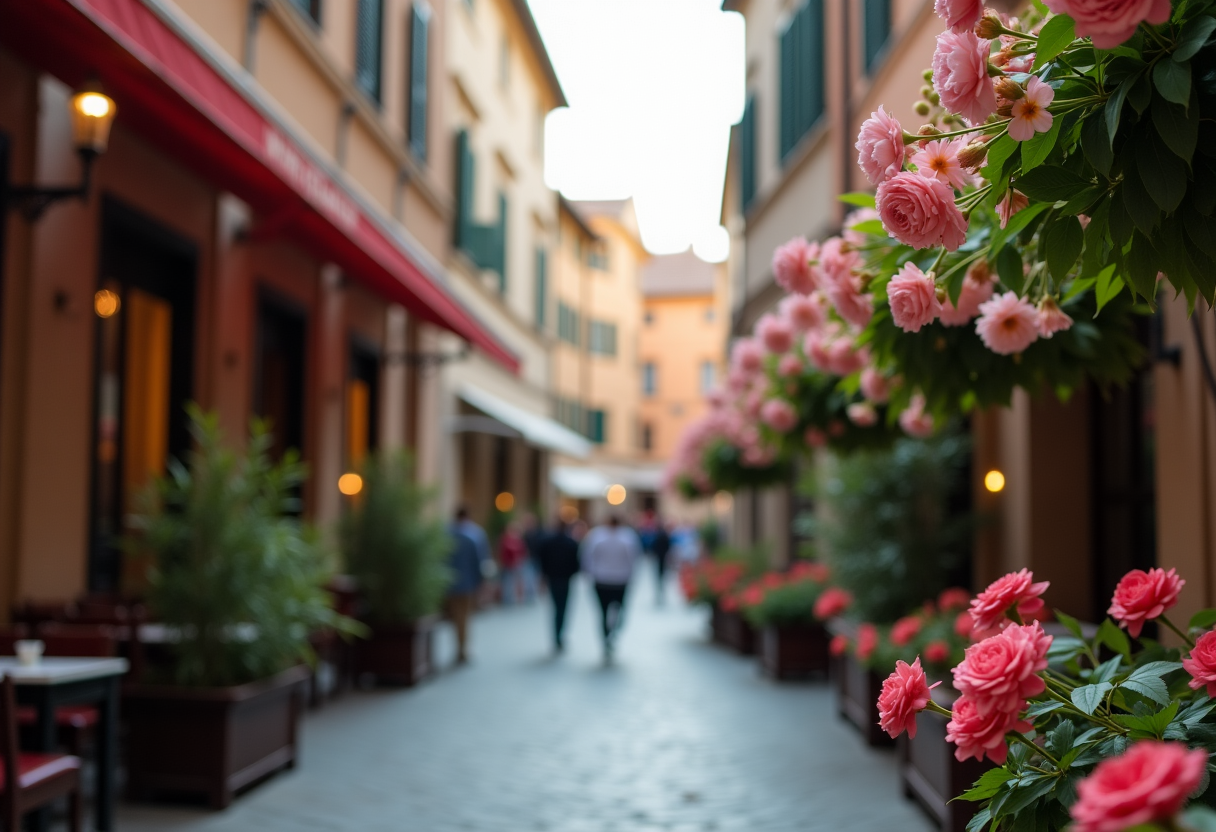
(211, 741)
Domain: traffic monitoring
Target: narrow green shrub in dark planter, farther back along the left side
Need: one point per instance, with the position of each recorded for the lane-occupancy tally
(397, 549)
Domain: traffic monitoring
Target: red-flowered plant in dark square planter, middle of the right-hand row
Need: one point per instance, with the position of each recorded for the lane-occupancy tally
(786, 609)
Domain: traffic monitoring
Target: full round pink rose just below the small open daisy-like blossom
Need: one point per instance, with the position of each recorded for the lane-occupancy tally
(921, 212)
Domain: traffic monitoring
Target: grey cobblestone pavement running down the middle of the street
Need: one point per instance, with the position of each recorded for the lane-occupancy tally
(677, 735)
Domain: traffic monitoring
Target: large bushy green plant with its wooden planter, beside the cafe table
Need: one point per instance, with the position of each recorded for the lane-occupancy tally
(238, 582)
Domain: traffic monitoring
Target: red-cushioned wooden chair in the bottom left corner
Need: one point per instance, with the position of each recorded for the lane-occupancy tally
(41, 778)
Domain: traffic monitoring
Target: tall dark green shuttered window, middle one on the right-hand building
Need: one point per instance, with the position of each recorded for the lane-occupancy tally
(802, 75)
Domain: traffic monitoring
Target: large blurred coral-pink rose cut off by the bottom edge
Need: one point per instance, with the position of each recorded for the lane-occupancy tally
(1150, 783)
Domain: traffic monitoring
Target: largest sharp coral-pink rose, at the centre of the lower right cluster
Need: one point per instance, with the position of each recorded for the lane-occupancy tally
(1001, 672)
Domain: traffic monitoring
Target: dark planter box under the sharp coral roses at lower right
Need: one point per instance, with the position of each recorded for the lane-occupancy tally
(931, 774)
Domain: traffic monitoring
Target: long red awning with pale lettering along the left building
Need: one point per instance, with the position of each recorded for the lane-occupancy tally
(172, 95)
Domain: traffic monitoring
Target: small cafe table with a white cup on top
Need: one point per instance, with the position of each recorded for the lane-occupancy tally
(58, 682)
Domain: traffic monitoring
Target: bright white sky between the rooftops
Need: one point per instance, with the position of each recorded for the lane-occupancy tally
(654, 87)
